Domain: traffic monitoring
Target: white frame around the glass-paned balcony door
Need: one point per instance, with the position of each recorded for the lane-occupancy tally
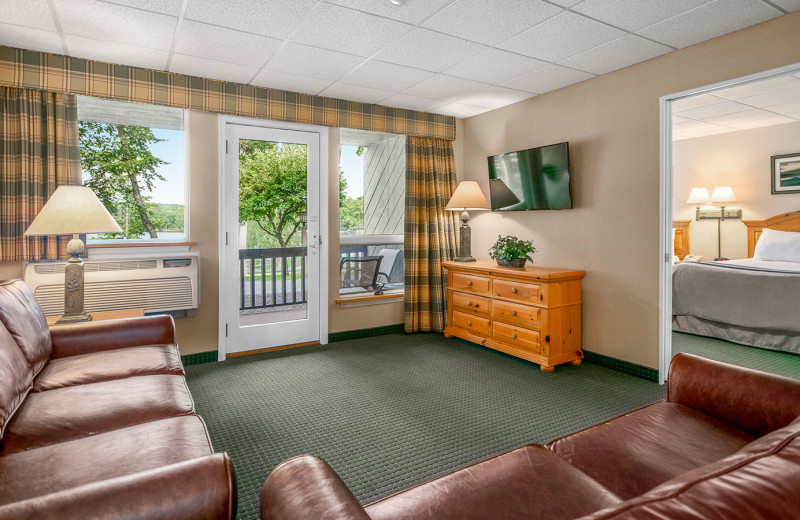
(223, 120)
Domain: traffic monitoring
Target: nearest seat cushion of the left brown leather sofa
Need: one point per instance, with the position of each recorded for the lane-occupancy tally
(121, 452)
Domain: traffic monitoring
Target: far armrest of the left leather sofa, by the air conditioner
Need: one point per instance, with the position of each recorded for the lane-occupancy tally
(94, 336)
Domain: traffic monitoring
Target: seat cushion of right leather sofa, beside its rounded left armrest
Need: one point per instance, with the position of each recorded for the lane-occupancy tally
(529, 482)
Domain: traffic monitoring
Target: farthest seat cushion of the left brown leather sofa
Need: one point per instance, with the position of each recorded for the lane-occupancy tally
(109, 365)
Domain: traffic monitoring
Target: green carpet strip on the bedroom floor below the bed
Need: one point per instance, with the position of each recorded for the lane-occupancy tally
(781, 363)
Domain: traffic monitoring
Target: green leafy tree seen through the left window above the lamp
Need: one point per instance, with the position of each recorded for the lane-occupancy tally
(120, 164)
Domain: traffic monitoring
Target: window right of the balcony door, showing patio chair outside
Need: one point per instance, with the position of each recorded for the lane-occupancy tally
(371, 214)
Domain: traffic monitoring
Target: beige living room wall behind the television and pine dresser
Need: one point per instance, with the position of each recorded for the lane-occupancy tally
(612, 125)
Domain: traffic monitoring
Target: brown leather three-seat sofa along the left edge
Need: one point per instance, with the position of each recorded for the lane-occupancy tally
(96, 421)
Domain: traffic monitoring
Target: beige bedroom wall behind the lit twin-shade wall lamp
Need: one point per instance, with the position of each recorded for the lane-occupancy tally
(740, 160)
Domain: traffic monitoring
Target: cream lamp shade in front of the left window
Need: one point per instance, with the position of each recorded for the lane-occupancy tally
(72, 210)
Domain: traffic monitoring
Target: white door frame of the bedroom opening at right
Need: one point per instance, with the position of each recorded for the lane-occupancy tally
(665, 214)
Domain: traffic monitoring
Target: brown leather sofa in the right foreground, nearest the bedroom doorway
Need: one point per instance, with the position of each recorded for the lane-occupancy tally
(725, 444)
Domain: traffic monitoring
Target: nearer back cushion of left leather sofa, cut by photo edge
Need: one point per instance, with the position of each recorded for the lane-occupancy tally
(15, 377)
